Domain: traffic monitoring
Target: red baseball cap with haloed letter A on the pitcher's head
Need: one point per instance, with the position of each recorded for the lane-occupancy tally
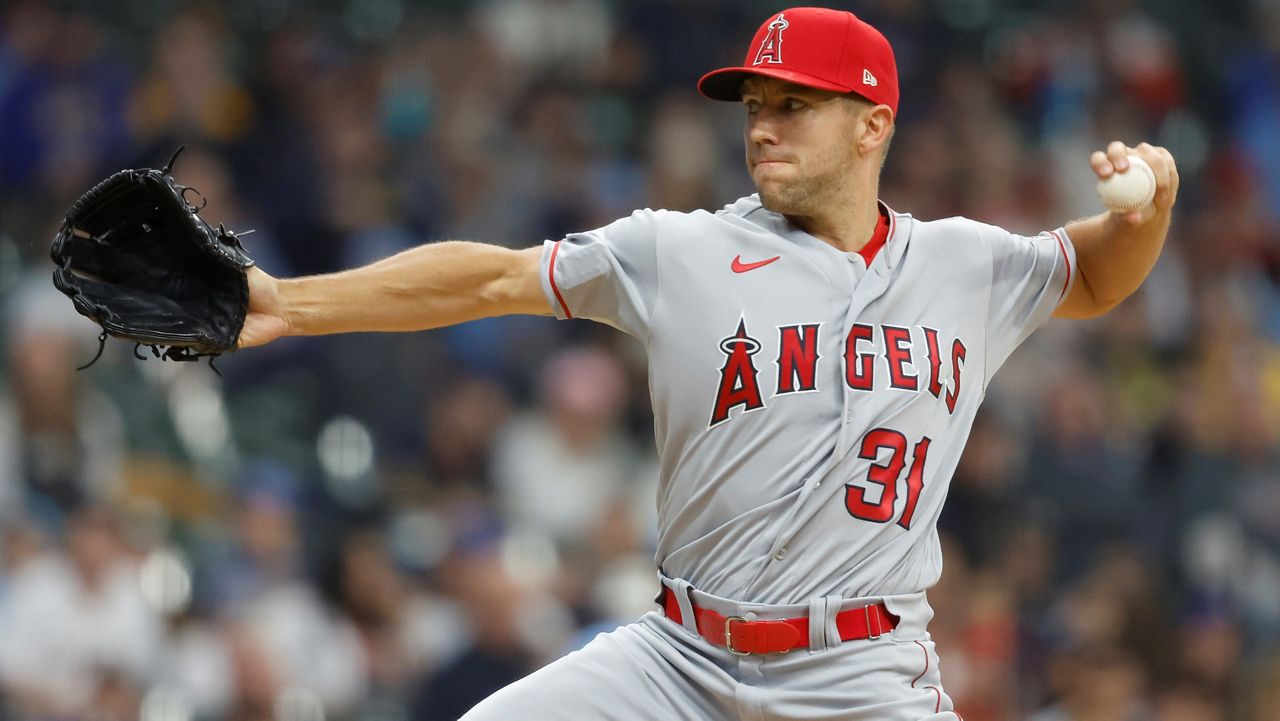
(815, 48)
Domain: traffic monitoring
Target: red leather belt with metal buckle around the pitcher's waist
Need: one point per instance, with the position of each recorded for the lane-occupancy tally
(744, 637)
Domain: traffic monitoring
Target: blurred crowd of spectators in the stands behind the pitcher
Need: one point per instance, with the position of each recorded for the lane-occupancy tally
(391, 527)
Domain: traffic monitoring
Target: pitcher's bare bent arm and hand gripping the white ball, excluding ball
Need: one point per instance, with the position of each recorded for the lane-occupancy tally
(1116, 252)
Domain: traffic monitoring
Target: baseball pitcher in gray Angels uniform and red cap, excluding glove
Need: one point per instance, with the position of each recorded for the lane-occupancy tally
(816, 362)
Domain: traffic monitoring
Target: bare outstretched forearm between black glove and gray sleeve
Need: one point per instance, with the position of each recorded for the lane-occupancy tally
(424, 288)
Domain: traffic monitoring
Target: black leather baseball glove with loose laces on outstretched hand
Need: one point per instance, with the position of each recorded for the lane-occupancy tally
(138, 259)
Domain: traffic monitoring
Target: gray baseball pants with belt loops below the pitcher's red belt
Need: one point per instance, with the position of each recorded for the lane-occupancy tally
(659, 670)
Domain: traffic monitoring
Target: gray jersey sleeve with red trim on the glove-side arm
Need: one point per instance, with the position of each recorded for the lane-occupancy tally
(609, 275)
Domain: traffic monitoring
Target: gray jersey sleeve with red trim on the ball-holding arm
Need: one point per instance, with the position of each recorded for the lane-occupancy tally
(1030, 277)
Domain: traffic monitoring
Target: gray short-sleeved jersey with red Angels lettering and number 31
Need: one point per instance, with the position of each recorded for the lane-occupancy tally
(810, 408)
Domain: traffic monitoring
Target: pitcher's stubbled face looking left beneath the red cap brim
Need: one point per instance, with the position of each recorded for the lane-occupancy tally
(801, 145)
